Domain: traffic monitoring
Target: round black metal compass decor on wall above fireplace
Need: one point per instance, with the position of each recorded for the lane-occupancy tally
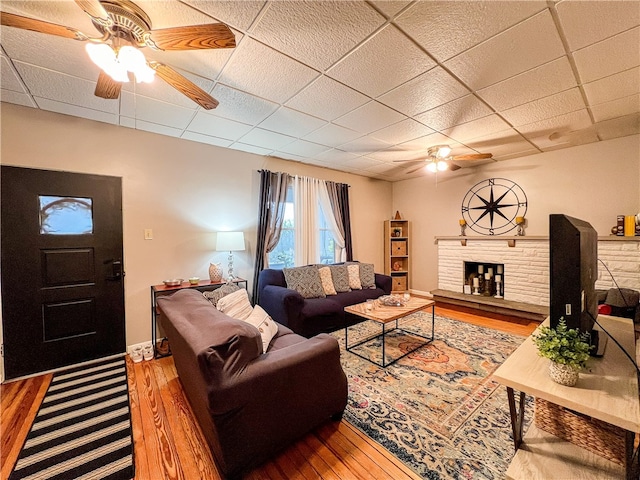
(491, 206)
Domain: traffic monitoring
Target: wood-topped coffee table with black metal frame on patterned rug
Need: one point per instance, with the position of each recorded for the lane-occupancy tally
(385, 315)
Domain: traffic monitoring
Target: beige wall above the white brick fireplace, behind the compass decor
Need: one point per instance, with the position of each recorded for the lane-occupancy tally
(594, 182)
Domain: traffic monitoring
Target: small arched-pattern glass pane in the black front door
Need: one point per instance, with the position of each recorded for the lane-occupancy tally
(65, 215)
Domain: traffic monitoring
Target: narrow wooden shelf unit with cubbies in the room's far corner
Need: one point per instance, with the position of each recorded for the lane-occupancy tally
(397, 253)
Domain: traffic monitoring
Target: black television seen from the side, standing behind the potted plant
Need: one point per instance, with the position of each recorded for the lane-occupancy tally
(573, 252)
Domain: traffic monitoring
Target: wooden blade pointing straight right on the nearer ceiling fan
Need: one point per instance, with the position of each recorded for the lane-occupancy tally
(214, 35)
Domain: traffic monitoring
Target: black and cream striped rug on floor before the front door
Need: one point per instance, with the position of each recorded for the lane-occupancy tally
(83, 427)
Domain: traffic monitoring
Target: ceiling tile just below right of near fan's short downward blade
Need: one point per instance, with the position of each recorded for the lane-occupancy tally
(155, 111)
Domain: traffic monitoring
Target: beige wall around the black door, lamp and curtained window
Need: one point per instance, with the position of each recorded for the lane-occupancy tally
(185, 191)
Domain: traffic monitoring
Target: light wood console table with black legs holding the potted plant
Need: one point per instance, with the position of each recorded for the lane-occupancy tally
(607, 390)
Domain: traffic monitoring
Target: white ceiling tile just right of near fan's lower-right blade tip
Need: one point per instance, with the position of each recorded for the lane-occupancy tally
(241, 106)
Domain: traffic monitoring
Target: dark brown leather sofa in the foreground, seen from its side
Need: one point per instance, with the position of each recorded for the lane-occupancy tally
(250, 405)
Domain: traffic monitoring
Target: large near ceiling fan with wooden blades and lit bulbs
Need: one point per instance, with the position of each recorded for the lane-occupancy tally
(125, 29)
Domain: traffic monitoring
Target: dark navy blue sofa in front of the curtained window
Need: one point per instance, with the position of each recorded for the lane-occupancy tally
(310, 316)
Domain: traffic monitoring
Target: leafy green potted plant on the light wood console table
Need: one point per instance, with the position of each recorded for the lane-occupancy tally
(567, 348)
